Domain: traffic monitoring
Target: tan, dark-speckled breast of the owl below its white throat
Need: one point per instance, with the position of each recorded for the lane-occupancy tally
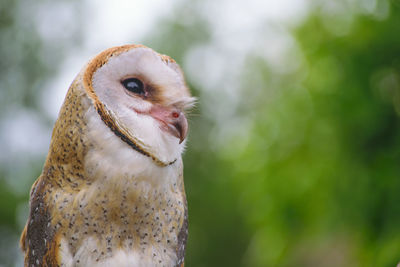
(129, 224)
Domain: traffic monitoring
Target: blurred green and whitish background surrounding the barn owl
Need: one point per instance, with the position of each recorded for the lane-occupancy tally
(294, 150)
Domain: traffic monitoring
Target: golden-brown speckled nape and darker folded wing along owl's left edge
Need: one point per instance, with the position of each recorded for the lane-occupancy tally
(63, 171)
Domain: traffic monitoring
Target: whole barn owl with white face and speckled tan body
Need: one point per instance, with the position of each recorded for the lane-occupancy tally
(111, 192)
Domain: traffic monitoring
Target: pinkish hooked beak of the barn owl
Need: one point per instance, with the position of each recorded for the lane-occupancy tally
(173, 121)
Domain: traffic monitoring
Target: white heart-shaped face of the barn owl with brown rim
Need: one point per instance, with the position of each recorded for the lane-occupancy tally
(142, 96)
